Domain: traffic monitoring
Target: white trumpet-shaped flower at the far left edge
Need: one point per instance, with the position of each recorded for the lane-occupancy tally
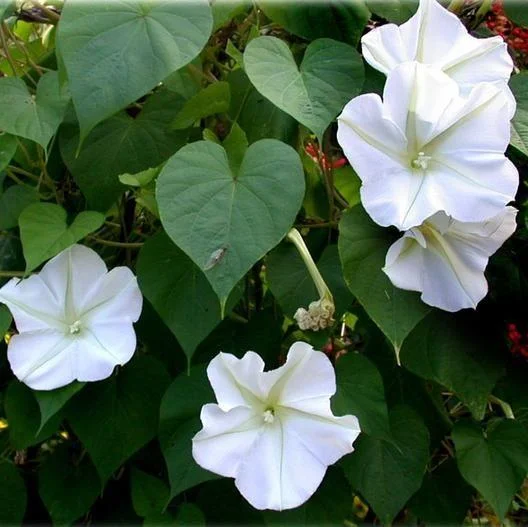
(74, 320)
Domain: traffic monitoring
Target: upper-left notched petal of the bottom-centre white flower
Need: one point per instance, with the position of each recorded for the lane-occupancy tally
(235, 381)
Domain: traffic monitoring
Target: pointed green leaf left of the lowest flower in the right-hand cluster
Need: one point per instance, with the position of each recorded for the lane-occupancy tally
(363, 246)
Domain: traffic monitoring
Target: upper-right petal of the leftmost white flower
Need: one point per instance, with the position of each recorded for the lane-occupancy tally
(115, 297)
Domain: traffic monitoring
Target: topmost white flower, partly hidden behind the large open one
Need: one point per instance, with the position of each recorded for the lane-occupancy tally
(436, 36)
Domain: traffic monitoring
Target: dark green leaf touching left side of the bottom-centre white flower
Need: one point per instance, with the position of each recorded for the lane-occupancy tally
(179, 422)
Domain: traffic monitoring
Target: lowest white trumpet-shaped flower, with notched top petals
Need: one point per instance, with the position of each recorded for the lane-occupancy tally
(274, 431)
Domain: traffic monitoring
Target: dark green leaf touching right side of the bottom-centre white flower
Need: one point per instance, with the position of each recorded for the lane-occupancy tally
(360, 392)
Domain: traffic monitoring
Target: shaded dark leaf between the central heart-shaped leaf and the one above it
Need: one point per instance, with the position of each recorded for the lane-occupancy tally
(255, 114)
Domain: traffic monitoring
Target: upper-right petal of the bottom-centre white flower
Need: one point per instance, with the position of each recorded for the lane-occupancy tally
(288, 384)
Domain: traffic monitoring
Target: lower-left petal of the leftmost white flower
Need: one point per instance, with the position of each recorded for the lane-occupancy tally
(43, 359)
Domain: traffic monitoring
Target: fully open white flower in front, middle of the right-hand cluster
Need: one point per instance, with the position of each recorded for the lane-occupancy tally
(426, 149)
